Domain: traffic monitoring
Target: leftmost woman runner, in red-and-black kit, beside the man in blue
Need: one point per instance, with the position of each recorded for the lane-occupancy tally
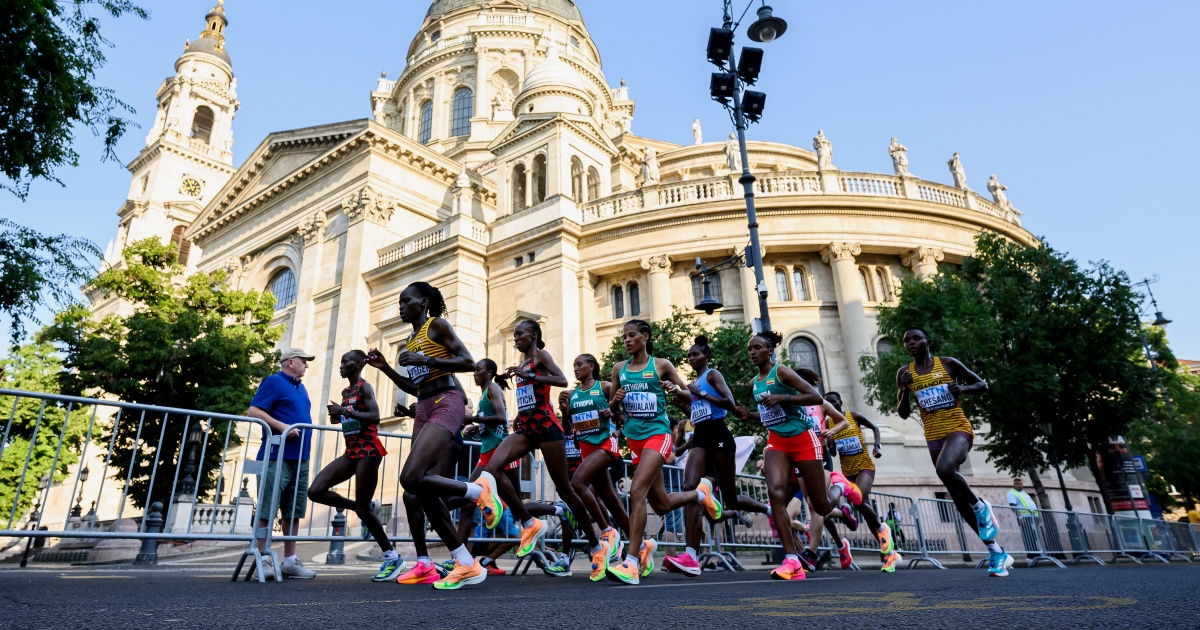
(359, 417)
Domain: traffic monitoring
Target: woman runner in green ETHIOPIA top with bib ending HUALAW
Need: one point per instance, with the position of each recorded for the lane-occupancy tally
(645, 383)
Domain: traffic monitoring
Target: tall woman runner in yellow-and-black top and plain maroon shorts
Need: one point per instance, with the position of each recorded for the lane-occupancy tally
(433, 356)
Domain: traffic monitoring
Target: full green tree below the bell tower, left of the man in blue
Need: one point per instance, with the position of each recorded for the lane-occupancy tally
(191, 343)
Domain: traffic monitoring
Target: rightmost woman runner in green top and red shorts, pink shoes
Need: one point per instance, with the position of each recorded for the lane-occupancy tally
(793, 442)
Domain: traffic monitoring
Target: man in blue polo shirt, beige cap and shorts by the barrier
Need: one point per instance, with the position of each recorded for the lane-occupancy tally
(281, 401)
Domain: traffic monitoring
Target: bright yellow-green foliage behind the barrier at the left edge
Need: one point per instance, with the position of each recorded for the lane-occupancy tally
(37, 428)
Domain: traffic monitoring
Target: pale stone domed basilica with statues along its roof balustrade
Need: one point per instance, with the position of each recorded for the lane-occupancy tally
(502, 167)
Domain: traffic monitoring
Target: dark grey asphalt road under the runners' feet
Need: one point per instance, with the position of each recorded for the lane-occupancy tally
(201, 596)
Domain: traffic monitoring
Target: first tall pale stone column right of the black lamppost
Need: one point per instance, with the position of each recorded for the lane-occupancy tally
(856, 332)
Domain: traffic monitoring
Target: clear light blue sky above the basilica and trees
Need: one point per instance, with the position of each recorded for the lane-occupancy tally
(1085, 110)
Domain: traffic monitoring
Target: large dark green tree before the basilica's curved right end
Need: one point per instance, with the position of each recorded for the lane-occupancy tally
(1053, 340)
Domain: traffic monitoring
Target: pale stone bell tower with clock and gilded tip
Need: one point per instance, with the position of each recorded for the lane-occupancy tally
(189, 153)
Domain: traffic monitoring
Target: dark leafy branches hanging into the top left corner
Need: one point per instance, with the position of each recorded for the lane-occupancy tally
(50, 53)
